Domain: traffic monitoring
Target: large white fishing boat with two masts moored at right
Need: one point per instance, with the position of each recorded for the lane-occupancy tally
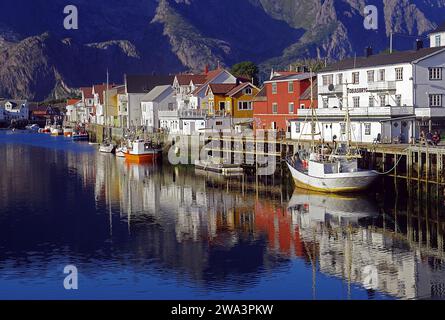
(336, 171)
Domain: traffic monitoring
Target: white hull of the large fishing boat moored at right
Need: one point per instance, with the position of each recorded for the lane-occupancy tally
(335, 183)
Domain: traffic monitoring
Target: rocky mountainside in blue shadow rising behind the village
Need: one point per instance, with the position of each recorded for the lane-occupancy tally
(40, 59)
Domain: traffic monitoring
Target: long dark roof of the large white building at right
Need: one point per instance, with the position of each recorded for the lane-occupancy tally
(383, 59)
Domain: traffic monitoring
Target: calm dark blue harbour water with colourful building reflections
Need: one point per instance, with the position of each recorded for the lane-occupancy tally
(163, 232)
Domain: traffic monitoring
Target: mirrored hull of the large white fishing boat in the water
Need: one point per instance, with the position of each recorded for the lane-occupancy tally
(323, 207)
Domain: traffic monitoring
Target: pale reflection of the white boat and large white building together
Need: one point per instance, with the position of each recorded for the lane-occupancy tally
(350, 242)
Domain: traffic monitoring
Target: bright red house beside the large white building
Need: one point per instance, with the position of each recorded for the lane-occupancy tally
(279, 100)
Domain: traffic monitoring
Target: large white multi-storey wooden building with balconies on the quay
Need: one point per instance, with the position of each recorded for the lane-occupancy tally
(390, 97)
